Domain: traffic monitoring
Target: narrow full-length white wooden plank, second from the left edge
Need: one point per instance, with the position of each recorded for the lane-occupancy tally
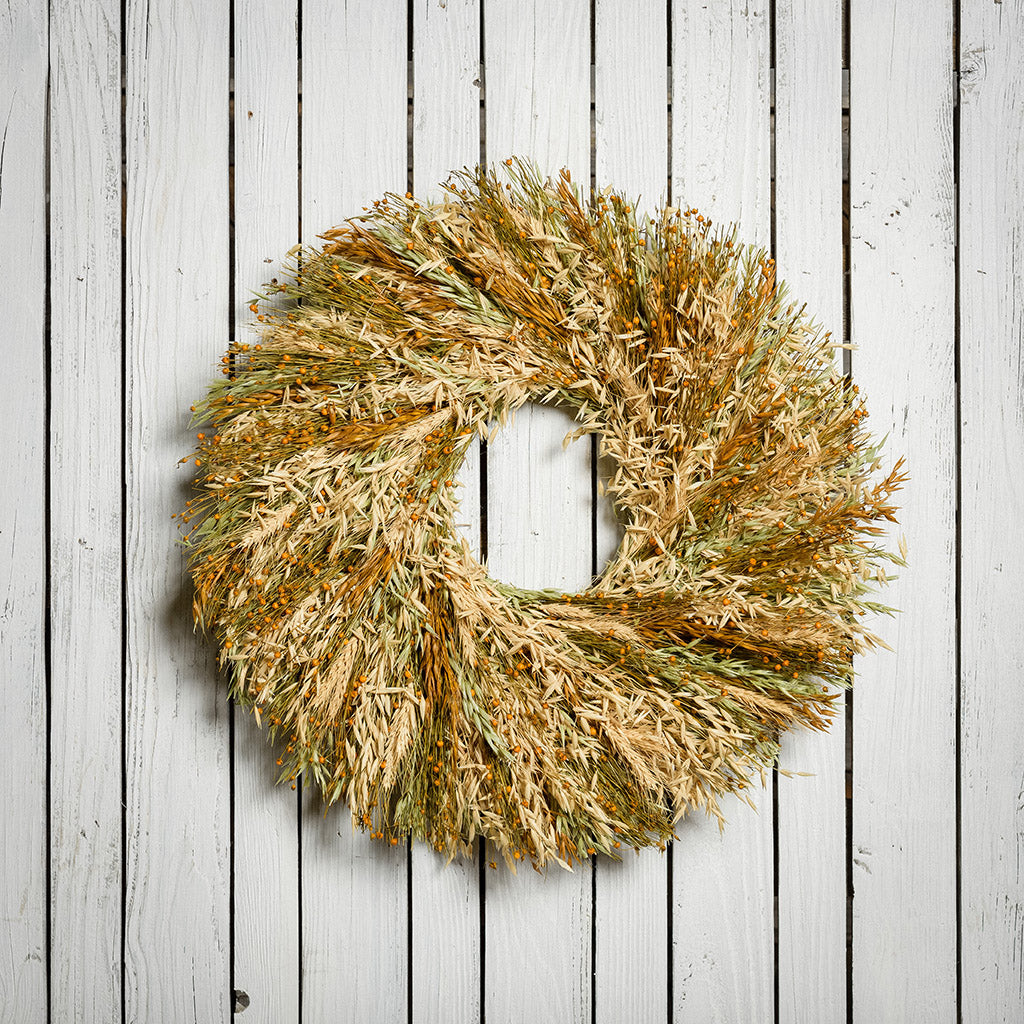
(86, 511)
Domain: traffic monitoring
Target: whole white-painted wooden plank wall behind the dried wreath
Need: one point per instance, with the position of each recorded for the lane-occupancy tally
(157, 162)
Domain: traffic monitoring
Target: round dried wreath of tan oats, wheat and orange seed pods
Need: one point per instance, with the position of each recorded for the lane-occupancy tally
(442, 704)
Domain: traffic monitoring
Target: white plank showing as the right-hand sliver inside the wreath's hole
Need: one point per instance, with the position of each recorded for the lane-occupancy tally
(631, 111)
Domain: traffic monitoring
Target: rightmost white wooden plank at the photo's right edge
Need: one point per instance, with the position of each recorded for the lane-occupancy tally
(992, 252)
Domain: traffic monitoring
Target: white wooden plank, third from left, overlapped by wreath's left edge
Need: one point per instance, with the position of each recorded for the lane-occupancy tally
(178, 800)
